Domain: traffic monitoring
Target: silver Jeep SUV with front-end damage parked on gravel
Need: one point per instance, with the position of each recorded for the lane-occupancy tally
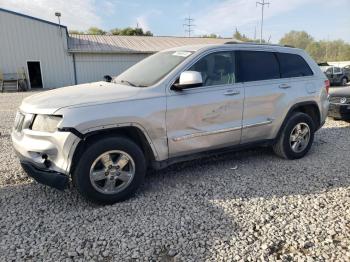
(173, 106)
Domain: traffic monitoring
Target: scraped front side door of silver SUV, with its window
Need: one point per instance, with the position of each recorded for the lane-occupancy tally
(210, 116)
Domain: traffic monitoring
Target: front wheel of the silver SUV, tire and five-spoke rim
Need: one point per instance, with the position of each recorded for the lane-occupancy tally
(110, 170)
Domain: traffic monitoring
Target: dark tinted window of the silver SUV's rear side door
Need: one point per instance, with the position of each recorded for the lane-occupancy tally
(257, 65)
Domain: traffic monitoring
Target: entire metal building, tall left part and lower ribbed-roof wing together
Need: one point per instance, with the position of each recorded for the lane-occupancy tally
(46, 56)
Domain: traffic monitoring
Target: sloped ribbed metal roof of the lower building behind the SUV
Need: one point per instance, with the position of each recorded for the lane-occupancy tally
(134, 44)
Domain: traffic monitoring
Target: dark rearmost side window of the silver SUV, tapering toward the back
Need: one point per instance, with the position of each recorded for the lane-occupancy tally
(293, 65)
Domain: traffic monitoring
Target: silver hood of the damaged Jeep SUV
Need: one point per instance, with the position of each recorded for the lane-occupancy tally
(85, 94)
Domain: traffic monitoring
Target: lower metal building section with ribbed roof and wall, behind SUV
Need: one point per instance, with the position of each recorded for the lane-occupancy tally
(99, 55)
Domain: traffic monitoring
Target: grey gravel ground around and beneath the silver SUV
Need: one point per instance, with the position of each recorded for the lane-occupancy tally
(245, 206)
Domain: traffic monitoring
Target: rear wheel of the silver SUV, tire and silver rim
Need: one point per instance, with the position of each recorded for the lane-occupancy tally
(296, 137)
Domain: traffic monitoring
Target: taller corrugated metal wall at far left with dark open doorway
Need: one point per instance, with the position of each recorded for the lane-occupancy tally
(23, 39)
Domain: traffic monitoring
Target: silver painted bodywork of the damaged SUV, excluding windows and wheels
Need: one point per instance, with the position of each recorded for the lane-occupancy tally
(174, 123)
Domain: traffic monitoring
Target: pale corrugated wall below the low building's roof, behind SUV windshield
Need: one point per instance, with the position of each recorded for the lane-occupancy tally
(92, 67)
